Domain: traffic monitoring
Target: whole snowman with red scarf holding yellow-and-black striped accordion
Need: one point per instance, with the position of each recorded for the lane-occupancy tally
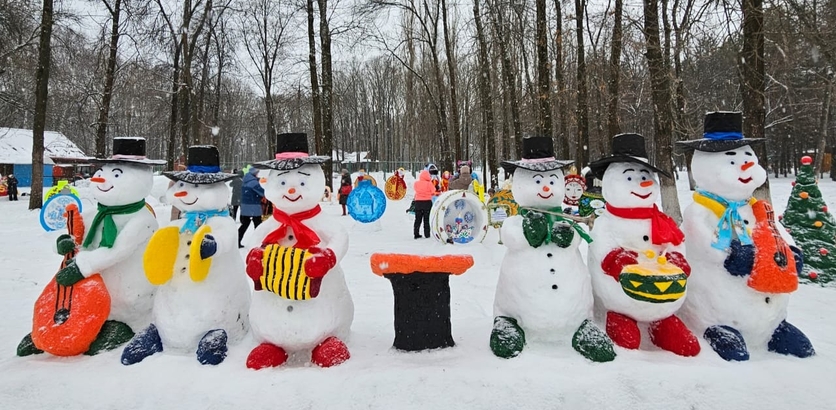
(301, 302)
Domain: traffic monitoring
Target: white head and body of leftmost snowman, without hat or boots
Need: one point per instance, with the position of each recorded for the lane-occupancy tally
(120, 266)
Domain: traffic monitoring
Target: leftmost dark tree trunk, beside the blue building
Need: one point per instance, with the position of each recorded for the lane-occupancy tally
(41, 98)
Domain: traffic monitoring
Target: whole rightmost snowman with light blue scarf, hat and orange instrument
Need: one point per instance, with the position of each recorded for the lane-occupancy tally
(727, 303)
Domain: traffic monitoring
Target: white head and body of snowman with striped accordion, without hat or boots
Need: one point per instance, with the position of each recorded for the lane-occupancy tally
(299, 325)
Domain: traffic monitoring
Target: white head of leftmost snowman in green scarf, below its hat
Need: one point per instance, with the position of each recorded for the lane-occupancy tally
(121, 183)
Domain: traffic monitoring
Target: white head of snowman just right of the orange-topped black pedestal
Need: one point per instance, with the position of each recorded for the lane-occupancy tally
(538, 189)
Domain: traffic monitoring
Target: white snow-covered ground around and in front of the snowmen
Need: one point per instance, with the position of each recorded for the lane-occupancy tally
(467, 376)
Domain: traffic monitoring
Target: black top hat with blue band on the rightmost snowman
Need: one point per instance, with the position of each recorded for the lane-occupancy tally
(722, 131)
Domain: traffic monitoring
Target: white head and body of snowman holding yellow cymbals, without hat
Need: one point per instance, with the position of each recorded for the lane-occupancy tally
(185, 310)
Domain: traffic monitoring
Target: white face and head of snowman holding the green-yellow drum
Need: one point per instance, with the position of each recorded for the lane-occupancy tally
(630, 185)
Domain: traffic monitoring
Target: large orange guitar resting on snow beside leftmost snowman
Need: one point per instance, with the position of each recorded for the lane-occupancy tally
(67, 319)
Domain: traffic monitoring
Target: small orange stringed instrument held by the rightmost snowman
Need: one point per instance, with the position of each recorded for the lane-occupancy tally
(774, 270)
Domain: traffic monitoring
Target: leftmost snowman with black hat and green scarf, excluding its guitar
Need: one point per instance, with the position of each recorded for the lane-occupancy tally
(115, 235)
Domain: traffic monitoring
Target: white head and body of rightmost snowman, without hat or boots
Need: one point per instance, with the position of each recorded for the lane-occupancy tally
(715, 297)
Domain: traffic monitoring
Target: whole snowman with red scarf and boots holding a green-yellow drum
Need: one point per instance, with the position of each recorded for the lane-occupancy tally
(639, 273)
